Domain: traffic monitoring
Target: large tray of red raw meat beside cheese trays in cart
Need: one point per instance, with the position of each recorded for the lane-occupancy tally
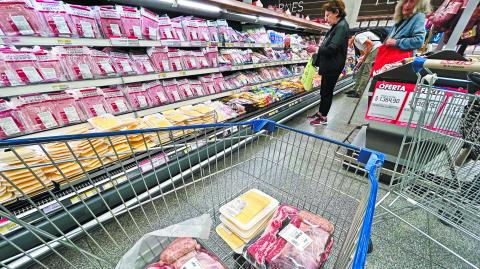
(293, 239)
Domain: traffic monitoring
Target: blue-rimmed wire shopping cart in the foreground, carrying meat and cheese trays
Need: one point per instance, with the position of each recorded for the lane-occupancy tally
(130, 194)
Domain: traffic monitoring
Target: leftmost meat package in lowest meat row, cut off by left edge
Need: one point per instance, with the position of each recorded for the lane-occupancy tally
(11, 123)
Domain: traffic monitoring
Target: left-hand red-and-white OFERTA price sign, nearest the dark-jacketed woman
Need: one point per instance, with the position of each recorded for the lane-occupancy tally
(388, 100)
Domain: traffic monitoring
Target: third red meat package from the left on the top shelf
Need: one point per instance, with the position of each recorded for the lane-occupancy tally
(83, 19)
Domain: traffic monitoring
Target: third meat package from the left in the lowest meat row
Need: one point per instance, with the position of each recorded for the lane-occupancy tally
(65, 108)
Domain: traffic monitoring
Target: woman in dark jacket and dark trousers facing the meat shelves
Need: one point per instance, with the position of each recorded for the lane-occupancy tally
(331, 57)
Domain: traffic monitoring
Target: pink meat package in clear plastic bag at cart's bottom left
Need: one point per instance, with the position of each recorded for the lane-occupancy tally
(185, 252)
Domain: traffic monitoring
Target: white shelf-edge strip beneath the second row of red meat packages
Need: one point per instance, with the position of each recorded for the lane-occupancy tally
(59, 86)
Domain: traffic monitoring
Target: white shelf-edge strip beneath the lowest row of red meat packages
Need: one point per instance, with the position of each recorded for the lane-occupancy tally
(148, 111)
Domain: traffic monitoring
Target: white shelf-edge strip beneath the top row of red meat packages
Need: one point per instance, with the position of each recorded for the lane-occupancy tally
(124, 42)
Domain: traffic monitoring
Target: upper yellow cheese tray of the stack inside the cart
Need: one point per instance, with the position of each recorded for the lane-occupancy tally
(249, 209)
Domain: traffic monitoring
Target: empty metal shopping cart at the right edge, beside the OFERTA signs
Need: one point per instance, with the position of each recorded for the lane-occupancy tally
(441, 168)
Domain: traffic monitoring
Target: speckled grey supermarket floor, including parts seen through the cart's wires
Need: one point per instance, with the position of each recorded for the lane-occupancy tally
(395, 244)
